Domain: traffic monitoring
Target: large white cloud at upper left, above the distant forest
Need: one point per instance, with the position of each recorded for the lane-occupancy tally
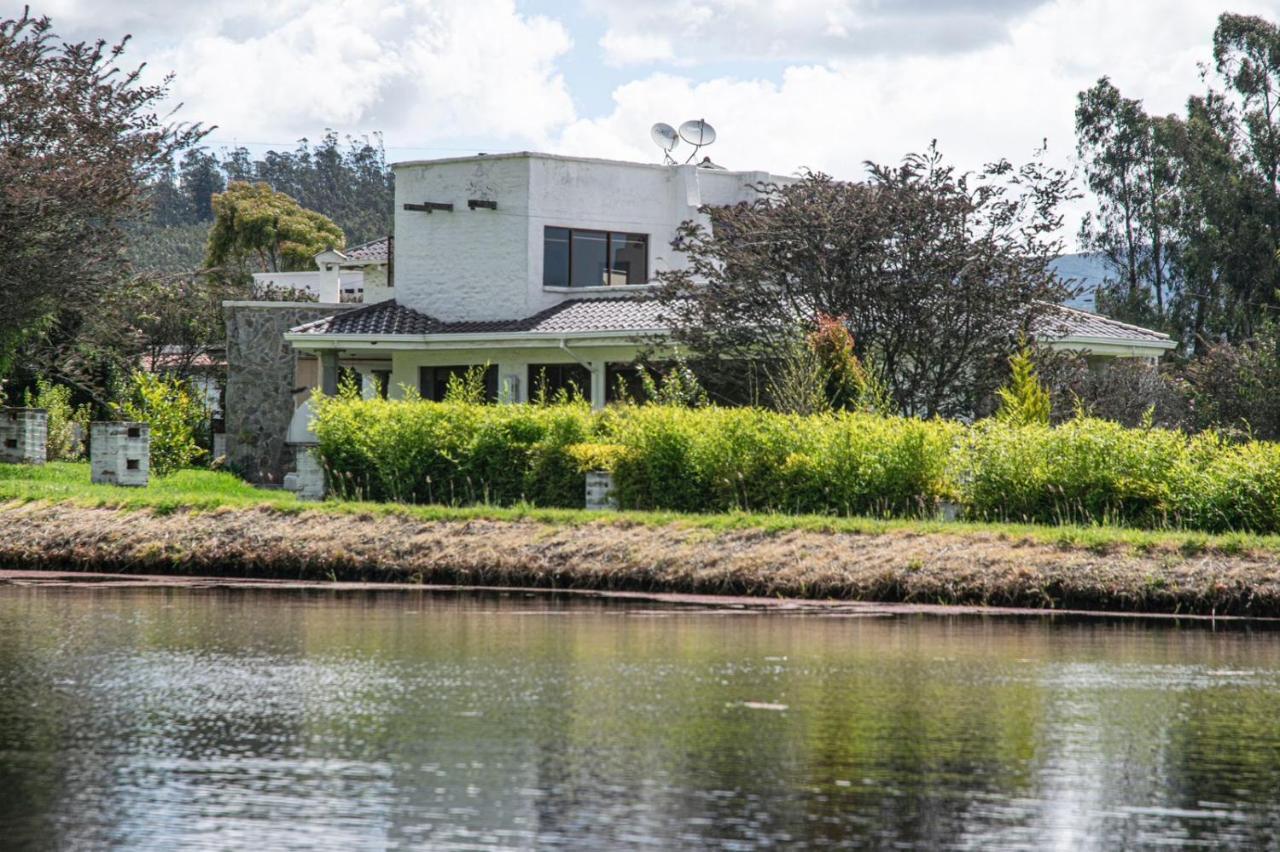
(420, 71)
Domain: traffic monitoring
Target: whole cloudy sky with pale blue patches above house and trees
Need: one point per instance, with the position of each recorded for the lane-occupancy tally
(789, 85)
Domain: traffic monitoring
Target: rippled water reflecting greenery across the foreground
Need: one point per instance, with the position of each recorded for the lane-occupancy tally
(223, 720)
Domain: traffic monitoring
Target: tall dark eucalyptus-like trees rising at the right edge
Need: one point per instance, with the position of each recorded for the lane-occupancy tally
(1190, 207)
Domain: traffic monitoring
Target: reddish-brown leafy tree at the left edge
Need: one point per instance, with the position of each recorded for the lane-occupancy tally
(79, 140)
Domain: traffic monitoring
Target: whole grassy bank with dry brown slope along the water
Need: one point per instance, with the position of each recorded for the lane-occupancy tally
(202, 524)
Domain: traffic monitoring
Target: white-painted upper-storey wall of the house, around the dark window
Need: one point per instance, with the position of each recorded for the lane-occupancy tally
(488, 264)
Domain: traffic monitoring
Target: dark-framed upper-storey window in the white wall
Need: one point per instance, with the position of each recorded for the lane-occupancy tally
(578, 258)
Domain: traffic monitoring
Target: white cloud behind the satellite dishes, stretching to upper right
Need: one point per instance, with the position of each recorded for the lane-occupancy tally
(1002, 100)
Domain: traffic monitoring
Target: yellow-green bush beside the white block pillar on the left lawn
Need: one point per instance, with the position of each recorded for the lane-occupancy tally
(177, 416)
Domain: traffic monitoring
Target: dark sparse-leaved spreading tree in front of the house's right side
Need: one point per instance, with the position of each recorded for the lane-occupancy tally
(934, 272)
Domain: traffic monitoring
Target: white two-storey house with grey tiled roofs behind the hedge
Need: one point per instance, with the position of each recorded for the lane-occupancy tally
(541, 267)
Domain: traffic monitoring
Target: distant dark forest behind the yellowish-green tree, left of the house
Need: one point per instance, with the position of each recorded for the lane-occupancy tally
(348, 181)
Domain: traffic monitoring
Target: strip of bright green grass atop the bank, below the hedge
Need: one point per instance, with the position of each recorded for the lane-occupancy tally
(208, 492)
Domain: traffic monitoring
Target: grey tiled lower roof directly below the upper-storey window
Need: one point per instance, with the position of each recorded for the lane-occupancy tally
(638, 315)
